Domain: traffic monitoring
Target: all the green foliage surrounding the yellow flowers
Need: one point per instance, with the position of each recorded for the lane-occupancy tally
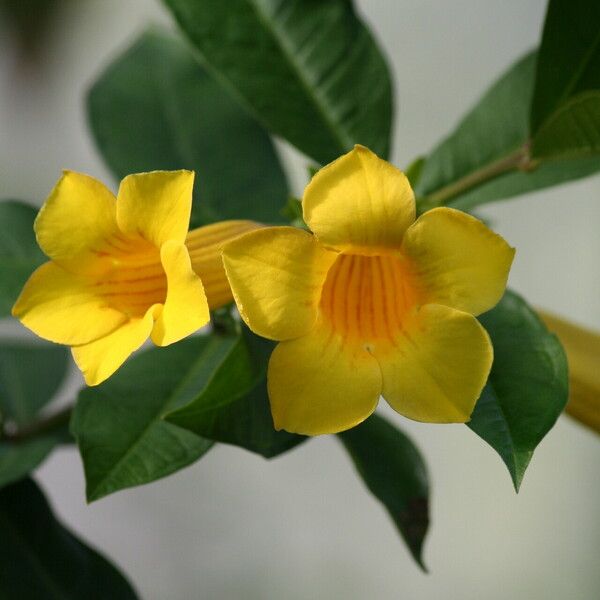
(310, 72)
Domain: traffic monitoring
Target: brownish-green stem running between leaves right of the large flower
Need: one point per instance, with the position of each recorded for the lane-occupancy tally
(519, 159)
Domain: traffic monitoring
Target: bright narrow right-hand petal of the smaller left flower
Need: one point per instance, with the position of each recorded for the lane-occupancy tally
(185, 309)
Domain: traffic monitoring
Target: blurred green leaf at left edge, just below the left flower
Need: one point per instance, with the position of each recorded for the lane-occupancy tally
(30, 375)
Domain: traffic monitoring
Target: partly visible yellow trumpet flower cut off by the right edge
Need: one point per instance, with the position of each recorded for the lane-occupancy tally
(583, 355)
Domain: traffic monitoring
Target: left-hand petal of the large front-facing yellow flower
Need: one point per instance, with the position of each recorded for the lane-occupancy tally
(276, 275)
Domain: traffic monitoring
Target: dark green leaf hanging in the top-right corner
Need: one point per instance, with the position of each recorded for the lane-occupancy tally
(569, 57)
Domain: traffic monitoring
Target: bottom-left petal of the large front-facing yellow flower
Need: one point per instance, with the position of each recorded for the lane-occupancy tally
(318, 384)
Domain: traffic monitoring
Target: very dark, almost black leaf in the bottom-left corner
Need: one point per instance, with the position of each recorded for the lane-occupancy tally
(39, 558)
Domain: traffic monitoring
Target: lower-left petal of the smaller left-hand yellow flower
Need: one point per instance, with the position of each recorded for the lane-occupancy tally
(60, 307)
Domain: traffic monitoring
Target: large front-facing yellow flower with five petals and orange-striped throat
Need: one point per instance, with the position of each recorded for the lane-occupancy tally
(374, 303)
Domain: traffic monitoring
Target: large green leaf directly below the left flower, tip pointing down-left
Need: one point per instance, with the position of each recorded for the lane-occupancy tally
(118, 426)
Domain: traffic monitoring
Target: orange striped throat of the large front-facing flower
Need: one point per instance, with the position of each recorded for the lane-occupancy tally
(365, 298)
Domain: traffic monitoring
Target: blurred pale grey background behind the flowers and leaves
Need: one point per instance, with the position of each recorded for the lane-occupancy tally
(302, 526)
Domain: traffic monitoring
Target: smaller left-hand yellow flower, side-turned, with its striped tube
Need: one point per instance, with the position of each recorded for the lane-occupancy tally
(120, 270)
